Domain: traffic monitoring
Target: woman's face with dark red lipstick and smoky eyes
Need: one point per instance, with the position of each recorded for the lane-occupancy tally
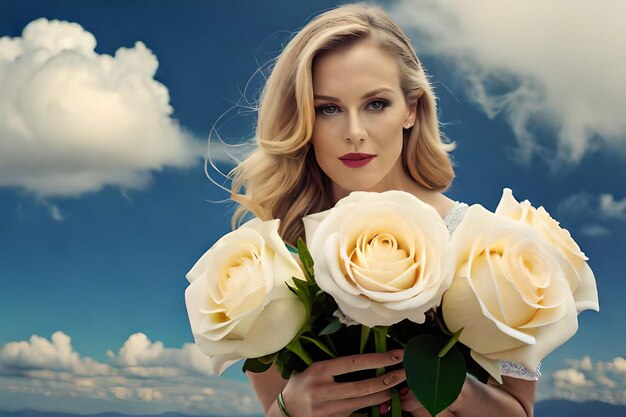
(360, 111)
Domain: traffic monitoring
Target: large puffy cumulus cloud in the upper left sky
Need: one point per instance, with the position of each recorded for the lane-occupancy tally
(73, 120)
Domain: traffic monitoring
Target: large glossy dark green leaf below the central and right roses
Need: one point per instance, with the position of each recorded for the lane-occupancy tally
(436, 382)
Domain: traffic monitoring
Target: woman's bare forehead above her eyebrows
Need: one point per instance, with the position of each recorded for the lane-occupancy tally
(359, 66)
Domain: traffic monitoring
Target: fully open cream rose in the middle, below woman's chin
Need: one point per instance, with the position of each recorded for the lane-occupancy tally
(381, 256)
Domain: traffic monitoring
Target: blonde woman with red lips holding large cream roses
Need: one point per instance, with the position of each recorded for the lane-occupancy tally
(348, 107)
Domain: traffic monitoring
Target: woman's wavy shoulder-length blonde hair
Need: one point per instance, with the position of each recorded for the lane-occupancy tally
(281, 177)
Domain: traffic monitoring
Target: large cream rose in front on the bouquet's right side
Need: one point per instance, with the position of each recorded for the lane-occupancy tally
(511, 291)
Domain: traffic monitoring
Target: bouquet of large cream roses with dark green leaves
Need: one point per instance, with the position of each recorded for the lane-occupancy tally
(381, 271)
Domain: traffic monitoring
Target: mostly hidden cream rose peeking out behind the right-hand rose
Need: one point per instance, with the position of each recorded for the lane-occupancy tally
(584, 287)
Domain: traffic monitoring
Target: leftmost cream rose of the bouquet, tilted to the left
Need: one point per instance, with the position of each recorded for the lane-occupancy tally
(238, 302)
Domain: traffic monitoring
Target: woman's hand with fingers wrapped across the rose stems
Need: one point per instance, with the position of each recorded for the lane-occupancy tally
(314, 392)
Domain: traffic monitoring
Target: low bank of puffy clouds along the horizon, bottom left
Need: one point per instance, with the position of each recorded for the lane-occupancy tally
(142, 377)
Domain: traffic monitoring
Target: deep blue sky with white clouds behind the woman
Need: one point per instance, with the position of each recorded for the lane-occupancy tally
(105, 204)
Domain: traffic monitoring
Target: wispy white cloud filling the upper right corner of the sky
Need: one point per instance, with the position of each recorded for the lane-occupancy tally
(553, 65)
